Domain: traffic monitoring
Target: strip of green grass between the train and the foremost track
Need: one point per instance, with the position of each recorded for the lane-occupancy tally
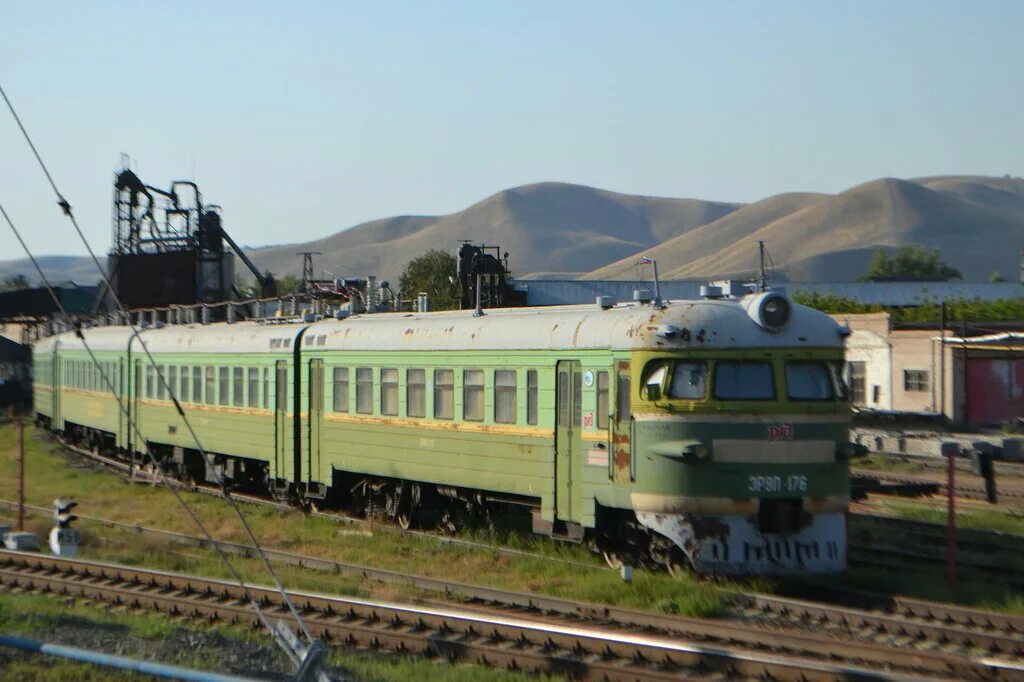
(561, 570)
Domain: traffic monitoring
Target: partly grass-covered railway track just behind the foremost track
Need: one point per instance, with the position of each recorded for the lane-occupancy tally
(956, 642)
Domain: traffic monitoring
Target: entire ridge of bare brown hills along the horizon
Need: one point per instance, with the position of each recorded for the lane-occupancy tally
(572, 231)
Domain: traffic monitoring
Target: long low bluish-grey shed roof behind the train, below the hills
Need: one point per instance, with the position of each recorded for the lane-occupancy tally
(898, 294)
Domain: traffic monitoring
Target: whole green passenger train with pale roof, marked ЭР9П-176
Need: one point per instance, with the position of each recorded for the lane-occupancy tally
(709, 434)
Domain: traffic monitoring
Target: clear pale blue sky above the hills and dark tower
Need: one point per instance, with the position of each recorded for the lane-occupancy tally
(305, 118)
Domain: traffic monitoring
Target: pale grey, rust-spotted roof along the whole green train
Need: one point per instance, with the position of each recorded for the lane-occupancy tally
(700, 324)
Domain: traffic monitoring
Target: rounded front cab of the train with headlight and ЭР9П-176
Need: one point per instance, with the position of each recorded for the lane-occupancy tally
(741, 436)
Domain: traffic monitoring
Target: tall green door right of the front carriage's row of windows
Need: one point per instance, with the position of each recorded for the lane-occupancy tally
(569, 444)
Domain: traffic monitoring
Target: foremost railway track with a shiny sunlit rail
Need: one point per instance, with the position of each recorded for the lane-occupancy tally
(601, 647)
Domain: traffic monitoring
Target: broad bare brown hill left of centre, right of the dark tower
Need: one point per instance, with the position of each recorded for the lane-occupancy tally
(550, 227)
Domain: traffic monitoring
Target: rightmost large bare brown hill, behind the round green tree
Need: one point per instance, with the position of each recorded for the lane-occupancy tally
(833, 239)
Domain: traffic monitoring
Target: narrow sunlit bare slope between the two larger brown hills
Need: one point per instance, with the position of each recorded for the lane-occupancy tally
(712, 238)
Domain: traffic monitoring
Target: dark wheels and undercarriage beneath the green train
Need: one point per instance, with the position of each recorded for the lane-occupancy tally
(622, 537)
